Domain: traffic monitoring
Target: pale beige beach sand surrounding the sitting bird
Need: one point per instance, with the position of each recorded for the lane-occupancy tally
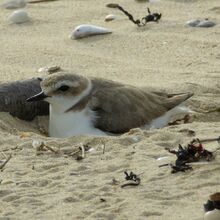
(166, 56)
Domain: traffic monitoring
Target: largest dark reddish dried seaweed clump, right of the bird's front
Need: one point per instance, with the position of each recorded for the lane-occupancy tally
(193, 152)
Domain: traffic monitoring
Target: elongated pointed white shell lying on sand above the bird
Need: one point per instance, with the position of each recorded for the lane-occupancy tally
(86, 30)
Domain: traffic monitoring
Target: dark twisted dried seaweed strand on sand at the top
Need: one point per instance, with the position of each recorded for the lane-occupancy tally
(151, 17)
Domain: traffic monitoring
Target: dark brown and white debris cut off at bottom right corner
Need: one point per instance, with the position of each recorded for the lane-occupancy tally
(212, 207)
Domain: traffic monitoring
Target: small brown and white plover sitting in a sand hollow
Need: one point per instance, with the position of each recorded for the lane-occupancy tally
(82, 105)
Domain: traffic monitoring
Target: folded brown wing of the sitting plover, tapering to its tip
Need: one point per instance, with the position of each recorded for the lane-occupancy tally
(121, 108)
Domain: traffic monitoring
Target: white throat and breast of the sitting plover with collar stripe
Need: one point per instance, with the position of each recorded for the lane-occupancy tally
(65, 123)
